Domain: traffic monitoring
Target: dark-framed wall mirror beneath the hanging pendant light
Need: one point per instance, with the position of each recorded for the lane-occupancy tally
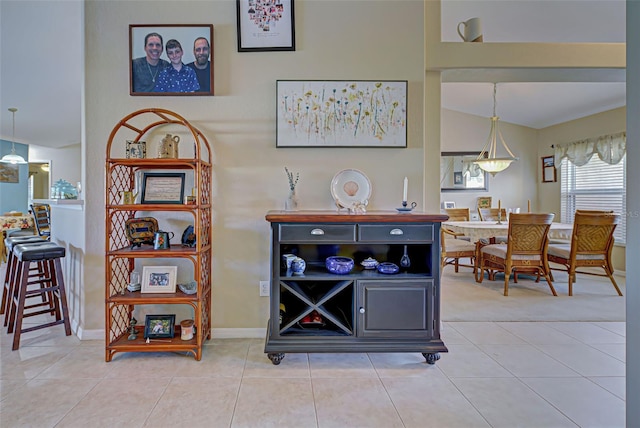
(458, 172)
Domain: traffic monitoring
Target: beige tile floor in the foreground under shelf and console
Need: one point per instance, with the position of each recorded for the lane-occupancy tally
(496, 374)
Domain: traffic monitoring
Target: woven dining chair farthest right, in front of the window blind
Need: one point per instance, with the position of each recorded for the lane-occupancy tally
(591, 245)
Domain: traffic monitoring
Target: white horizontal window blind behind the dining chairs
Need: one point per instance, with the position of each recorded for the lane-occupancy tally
(594, 186)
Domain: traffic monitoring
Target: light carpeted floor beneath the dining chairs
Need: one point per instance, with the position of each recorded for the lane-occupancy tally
(594, 298)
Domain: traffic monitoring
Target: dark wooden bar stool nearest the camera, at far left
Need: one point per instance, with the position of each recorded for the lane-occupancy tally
(51, 283)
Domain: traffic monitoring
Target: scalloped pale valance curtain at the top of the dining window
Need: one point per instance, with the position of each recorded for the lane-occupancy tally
(610, 149)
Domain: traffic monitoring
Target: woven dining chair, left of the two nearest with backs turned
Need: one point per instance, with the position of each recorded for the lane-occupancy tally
(525, 250)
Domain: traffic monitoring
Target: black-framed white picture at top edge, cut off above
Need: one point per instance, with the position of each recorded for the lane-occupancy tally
(265, 25)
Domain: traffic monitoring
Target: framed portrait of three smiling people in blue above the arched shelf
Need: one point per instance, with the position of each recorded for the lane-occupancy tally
(171, 59)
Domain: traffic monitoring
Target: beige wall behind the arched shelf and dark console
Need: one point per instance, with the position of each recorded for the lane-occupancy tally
(334, 41)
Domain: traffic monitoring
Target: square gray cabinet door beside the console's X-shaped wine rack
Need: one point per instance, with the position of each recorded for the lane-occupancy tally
(395, 308)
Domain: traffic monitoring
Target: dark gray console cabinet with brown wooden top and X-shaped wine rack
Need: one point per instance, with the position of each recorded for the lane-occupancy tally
(363, 311)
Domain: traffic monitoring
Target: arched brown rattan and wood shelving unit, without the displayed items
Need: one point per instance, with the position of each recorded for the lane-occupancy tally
(120, 258)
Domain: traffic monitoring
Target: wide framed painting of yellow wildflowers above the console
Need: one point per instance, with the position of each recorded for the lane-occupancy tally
(341, 113)
